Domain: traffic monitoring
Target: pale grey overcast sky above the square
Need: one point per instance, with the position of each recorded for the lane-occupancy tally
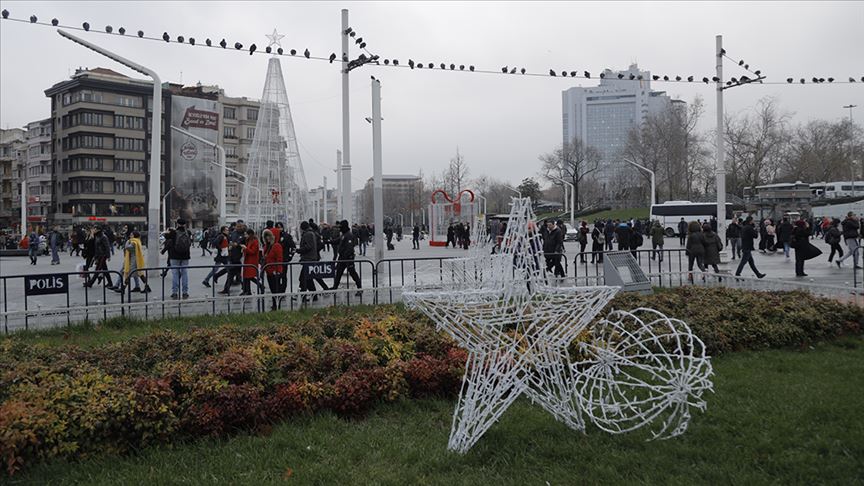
(500, 123)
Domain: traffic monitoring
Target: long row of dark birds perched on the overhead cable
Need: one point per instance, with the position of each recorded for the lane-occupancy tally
(375, 59)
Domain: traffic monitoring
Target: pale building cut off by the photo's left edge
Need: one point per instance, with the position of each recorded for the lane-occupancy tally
(13, 156)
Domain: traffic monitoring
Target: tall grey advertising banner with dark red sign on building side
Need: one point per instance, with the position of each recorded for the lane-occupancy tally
(194, 177)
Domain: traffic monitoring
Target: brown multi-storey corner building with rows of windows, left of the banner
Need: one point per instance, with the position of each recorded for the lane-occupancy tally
(101, 144)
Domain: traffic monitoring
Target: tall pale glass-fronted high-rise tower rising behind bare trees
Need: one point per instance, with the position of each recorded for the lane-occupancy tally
(602, 117)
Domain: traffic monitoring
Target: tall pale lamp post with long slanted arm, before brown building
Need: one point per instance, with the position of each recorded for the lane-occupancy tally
(155, 145)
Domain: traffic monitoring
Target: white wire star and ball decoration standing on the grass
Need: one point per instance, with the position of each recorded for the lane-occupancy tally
(628, 371)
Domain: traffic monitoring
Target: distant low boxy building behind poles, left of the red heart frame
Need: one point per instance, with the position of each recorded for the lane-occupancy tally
(402, 195)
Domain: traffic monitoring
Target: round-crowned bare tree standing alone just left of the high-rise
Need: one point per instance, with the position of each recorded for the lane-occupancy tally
(573, 162)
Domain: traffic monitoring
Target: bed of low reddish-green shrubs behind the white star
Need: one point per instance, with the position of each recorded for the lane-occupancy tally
(71, 402)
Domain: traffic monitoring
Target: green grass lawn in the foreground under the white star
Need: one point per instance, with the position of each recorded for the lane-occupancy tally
(777, 416)
